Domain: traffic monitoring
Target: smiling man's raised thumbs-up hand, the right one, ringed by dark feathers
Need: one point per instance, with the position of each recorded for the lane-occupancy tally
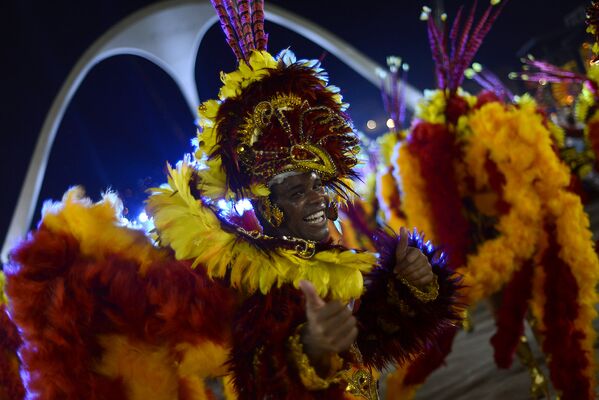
(411, 263)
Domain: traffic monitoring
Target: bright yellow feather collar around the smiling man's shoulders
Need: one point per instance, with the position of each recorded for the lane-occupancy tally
(194, 232)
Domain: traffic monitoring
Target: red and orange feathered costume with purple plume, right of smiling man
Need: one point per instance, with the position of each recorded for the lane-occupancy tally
(482, 176)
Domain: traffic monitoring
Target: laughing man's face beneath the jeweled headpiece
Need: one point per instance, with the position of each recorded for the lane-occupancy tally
(303, 202)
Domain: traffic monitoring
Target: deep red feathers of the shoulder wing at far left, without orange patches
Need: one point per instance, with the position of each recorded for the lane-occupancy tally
(61, 300)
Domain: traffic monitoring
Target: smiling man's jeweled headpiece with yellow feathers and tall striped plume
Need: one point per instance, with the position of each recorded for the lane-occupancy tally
(273, 115)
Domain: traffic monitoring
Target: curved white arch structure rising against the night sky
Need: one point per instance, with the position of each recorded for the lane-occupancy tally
(167, 34)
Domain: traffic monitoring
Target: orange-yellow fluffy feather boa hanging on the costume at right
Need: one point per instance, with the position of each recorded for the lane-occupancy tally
(536, 188)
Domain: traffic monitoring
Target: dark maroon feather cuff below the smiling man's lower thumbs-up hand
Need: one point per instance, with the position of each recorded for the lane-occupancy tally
(260, 356)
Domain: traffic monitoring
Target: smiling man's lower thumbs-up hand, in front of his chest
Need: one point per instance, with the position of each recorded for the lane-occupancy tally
(331, 327)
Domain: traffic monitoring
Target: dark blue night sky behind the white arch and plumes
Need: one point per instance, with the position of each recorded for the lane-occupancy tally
(128, 118)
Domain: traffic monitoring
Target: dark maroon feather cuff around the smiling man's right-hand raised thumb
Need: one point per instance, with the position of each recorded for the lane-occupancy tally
(394, 324)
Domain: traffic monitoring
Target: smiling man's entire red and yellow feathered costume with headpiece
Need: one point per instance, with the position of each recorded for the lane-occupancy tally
(105, 312)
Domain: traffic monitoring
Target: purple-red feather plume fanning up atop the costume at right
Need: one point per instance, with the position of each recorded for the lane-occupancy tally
(463, 41)
